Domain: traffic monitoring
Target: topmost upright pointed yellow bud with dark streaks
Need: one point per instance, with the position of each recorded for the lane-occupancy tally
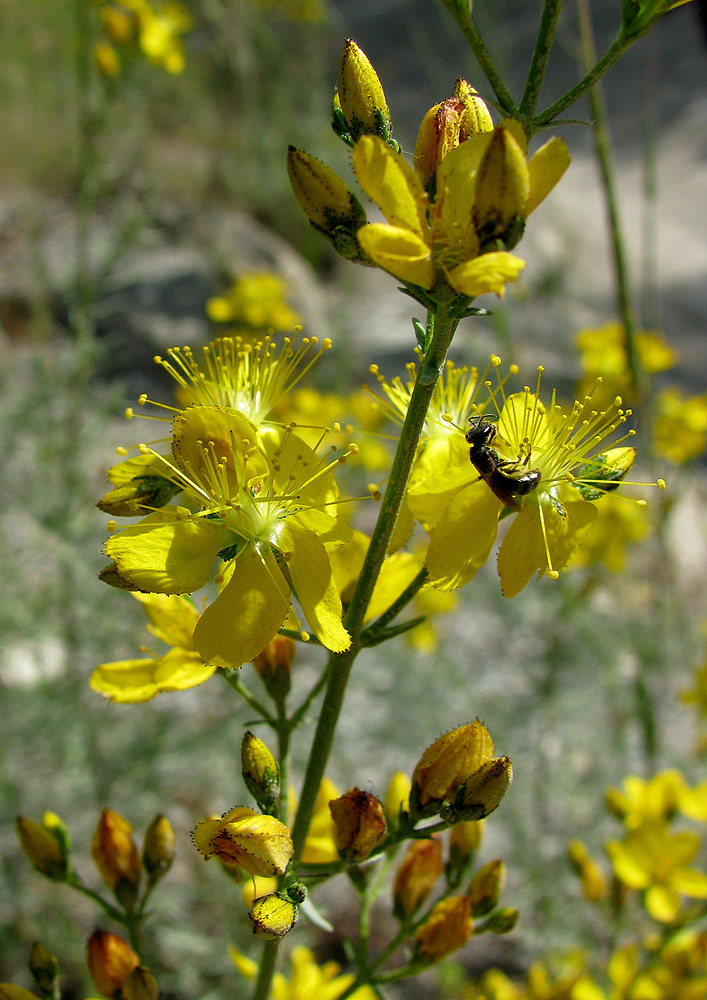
(361, 98)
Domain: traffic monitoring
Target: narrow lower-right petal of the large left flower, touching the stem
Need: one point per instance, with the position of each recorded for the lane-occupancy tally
(313, 580)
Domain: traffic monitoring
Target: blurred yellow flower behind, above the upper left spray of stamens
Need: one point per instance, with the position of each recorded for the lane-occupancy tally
(257, 301)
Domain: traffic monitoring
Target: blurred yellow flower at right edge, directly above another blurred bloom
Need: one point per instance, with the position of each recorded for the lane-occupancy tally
(657, 800)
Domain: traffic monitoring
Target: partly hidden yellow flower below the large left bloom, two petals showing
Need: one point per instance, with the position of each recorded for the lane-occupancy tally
(172, 619)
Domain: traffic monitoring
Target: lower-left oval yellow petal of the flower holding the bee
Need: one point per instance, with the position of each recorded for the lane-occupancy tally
(461, 540)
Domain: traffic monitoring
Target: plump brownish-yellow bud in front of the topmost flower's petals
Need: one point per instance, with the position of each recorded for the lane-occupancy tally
(501, 191)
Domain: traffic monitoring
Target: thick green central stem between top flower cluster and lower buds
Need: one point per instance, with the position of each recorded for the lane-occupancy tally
(340, 664)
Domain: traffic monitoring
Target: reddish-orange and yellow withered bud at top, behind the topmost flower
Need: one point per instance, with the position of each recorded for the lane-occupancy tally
(446, 125)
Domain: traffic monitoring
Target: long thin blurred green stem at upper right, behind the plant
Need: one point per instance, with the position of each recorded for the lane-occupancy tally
(602, 146)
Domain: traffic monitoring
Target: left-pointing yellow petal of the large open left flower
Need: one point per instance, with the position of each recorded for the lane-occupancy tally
(164, 554)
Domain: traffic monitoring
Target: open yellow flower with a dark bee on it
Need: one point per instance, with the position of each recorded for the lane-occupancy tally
(564, 460)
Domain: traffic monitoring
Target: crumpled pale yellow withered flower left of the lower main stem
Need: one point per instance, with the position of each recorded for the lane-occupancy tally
(255, 844)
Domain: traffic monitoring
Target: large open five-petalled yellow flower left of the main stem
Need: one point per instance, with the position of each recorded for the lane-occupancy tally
(253, 508)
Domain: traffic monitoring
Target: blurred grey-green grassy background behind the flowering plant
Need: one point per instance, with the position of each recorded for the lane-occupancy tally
(138, 187)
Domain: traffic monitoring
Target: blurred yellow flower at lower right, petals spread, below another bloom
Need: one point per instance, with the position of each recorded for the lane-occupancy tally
(656, 862)
